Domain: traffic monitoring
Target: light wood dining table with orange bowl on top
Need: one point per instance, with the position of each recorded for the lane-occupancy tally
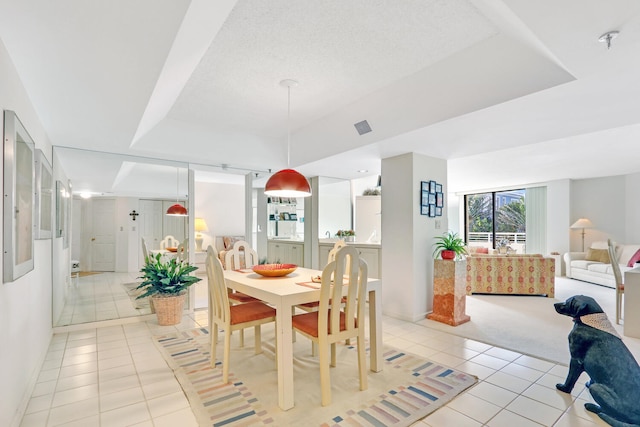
(286, 292)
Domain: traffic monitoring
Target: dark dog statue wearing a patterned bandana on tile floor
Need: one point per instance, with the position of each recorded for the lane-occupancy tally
(597, 349)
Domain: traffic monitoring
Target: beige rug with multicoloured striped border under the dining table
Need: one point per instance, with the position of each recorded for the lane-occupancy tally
(408, 389)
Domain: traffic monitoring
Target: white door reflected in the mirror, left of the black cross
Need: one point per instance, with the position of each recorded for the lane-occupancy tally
(103, 241)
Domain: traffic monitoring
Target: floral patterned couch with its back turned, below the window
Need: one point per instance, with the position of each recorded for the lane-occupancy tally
(511, 275)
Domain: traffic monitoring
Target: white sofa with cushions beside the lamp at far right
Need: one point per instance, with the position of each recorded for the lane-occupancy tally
(581, 268)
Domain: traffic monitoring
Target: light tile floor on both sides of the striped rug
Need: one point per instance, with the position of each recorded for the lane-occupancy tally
(115, 376)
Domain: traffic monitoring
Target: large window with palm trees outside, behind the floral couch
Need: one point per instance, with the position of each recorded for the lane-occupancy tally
(496, 218)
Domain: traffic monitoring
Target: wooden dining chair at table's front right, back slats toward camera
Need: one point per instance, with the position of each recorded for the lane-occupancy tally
(328, 325)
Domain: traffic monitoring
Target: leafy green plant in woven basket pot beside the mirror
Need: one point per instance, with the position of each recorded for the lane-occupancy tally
(166, 283)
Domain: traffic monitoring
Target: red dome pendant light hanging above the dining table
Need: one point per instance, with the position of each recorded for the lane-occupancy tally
(288, 182)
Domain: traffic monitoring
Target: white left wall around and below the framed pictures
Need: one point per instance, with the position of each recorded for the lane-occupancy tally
(25, 304)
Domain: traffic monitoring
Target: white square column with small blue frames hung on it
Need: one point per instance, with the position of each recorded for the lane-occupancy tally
(407, 262)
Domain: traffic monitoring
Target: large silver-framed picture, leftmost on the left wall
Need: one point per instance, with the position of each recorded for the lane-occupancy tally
(19, 198)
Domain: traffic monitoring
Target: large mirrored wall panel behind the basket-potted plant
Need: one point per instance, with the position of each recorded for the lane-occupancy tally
(116, 200)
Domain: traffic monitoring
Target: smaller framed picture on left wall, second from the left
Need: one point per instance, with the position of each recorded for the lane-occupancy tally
(44, 197)
